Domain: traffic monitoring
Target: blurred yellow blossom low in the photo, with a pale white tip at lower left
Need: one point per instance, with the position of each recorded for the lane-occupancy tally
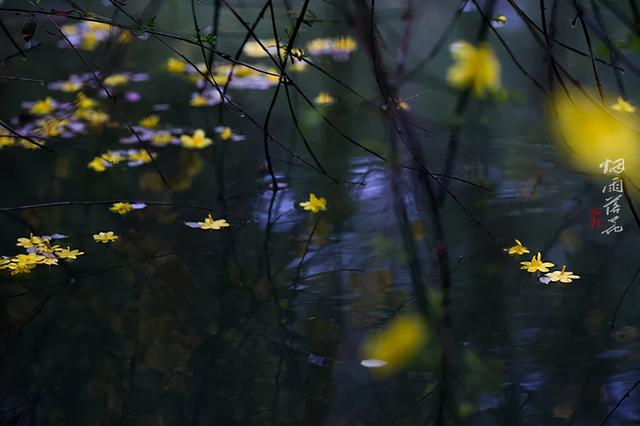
(396, 345)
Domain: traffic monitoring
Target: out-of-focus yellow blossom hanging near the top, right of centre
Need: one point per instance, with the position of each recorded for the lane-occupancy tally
(475, 67)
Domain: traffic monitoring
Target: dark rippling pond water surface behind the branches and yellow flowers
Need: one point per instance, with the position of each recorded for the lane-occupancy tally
(263, 322)
